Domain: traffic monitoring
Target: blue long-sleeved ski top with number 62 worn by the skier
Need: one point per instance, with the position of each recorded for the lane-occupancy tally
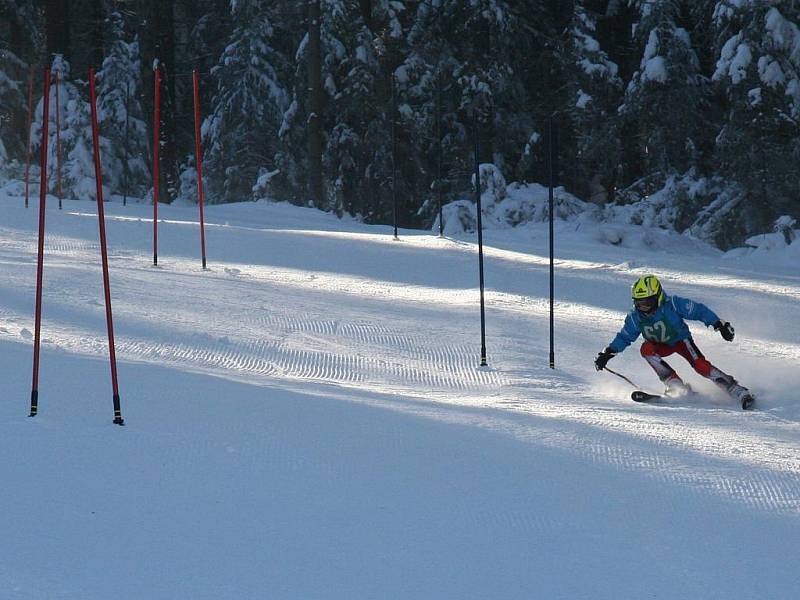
(666, 325)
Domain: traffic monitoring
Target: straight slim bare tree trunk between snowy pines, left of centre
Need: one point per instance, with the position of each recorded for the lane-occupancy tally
(315, 142)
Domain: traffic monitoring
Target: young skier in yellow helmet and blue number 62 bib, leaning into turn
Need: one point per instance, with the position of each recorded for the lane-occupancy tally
(659, 318)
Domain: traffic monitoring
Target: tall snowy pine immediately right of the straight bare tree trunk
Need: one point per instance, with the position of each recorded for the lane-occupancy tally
(357, 70)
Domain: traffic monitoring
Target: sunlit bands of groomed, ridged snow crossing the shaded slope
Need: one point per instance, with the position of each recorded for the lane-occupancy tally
(272, 324)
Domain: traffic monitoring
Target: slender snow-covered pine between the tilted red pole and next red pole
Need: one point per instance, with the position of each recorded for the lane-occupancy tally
(125, 157)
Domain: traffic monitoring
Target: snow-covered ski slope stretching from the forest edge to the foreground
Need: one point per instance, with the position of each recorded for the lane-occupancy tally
(307, 419)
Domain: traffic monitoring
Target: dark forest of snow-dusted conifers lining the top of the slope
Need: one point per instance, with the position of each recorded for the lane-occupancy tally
(699, 97)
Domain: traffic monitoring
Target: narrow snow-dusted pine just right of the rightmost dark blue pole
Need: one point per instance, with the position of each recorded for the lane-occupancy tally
(595, 90)
